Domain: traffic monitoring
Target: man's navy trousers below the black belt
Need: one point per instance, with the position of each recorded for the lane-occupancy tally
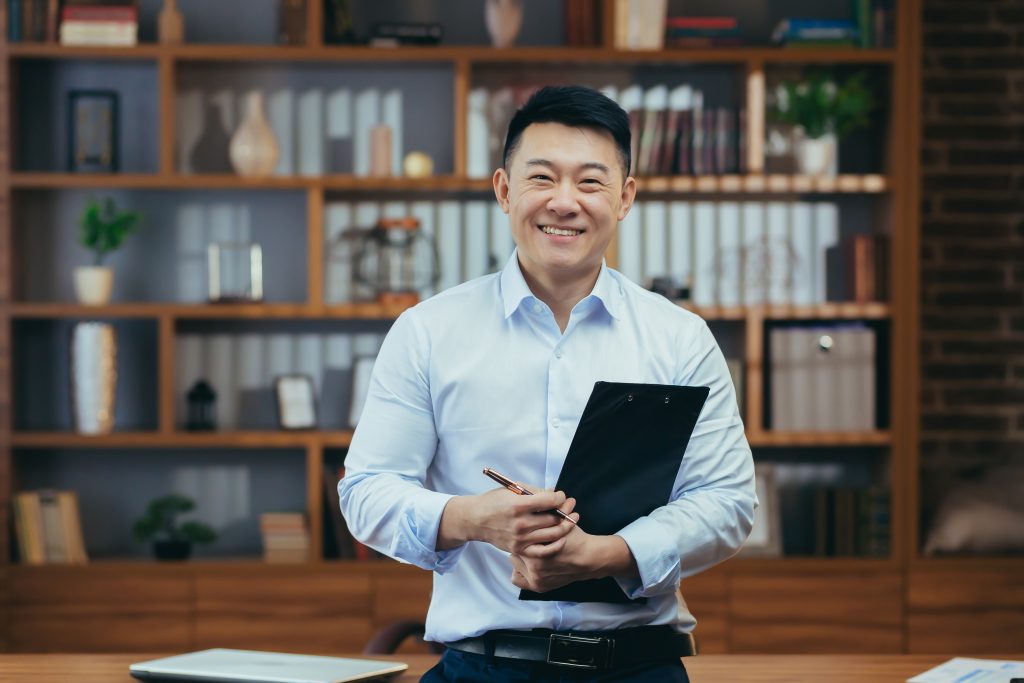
(457, 667)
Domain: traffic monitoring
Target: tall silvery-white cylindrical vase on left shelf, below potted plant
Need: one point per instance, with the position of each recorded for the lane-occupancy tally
(94, 377)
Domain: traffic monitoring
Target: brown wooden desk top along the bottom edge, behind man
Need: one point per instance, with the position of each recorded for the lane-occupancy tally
(710, 668)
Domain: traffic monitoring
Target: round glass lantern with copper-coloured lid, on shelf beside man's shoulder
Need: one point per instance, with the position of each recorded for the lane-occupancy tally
(397, 260)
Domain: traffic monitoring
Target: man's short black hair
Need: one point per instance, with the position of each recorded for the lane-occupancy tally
(577, 107)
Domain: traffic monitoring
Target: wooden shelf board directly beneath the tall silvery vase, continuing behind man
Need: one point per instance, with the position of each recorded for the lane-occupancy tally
(343, 439)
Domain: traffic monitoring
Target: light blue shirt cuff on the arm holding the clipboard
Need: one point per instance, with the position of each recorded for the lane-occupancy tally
(656, 558)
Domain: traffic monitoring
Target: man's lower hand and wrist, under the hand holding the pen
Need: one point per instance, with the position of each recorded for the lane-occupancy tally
(580, 557)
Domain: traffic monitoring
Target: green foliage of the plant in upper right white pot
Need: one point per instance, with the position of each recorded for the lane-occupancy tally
(821, 107)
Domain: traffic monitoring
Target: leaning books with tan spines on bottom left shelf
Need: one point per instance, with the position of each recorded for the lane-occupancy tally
(49, 528)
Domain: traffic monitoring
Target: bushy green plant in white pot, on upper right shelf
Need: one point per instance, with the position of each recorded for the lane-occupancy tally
(822, 113)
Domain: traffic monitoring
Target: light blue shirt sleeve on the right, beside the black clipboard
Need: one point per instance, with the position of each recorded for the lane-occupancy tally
(712, 508)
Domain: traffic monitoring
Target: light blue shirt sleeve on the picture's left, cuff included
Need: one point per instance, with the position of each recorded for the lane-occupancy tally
(382, 495)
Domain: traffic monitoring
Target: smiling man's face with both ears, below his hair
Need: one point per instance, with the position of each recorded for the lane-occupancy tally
(565, 194)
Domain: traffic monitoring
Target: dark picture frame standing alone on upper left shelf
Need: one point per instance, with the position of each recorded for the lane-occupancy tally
(93, 132)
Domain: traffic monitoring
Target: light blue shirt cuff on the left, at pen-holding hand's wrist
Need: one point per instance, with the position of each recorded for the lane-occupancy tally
(417, 537)
